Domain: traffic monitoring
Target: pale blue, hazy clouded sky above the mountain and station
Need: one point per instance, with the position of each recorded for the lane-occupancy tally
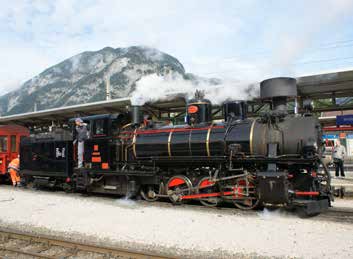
(225, 39)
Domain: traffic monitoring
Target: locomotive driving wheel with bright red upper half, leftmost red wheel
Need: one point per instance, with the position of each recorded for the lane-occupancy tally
(177, 187)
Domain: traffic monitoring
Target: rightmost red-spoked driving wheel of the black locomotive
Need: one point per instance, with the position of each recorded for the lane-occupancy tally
(240, 199)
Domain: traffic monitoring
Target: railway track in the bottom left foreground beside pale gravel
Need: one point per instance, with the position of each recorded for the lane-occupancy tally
(16, 244)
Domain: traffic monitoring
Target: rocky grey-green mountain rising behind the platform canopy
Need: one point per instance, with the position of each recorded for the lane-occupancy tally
(81, 78)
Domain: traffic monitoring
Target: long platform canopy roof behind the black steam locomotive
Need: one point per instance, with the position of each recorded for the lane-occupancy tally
(315, 87)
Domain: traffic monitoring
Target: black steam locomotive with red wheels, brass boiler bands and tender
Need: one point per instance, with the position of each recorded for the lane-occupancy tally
(272, 160)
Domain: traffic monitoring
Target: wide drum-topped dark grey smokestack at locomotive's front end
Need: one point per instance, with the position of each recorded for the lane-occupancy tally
(278, 90)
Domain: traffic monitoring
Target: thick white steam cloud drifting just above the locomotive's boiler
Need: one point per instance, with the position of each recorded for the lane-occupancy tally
(155, 87)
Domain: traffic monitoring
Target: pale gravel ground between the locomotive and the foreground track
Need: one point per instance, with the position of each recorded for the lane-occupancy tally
(185, 231)
